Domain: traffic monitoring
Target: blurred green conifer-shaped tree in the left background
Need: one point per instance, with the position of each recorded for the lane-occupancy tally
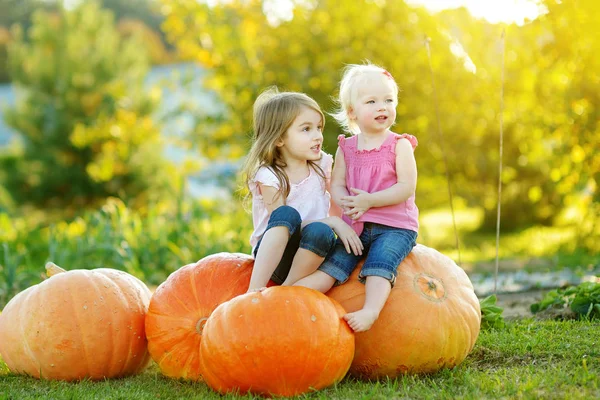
(82, 112)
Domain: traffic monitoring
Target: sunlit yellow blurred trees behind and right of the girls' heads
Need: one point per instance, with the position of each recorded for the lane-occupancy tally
(550, 94)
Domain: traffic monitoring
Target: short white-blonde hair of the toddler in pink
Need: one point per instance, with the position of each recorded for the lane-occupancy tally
(352, 76)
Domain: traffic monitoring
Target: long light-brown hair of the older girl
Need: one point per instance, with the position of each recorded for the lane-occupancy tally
(274, 113)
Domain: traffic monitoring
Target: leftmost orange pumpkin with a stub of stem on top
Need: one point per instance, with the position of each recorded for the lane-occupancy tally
(77, 324)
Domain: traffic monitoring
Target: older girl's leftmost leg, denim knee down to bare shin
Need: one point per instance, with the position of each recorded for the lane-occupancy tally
(283, 223)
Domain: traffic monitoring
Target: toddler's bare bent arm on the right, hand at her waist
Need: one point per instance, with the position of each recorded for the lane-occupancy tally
(406, 172)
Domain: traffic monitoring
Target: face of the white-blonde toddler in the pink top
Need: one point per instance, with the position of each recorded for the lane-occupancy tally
(374, 109)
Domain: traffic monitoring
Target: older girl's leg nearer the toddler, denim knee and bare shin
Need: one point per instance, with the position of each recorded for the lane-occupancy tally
(317, 240)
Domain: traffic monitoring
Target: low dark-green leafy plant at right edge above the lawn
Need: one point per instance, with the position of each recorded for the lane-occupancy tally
(583, 299)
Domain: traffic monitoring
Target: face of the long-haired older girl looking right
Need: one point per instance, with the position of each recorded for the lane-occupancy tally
(304, 138)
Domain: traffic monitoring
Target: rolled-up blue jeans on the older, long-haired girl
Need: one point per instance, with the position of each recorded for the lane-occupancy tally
(316, 237)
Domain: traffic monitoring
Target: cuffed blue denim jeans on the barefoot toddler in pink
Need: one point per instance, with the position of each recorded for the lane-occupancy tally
(385, 248)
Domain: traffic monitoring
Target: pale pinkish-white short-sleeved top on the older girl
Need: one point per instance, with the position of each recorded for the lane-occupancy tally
(309, 197)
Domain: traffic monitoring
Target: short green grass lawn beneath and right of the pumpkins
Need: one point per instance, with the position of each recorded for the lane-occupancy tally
(529, 359)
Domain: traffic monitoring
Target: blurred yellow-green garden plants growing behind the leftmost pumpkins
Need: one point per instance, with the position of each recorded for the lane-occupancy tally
(148, 242)
